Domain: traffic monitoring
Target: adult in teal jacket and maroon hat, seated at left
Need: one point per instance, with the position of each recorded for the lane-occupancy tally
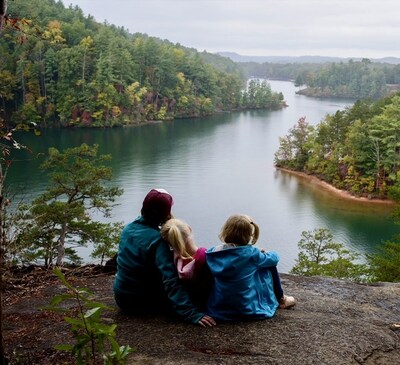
(147, 280)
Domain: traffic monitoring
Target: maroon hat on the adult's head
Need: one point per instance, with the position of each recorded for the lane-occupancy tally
(157, 206)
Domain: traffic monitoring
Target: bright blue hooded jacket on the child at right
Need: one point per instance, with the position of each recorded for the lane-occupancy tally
(243, 287)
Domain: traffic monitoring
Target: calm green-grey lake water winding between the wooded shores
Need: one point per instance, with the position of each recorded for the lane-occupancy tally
(218, 166)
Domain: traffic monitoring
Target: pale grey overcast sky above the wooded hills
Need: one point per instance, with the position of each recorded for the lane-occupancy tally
(340, 28)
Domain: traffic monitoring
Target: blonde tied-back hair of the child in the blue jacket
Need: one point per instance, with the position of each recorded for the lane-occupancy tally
(240, 230)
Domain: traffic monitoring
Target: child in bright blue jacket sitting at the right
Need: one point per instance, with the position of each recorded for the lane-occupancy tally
(247, 283)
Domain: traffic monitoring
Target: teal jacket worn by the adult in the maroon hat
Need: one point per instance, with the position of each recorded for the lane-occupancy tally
(146, 273)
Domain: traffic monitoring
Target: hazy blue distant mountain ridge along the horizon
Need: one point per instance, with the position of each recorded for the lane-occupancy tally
(301, 59)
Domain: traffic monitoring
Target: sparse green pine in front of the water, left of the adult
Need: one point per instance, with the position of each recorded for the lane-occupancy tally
(61, 216)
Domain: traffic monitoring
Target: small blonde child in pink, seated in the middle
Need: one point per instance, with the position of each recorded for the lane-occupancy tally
(189, 259)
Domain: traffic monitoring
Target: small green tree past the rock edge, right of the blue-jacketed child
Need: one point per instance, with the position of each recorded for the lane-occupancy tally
(320, 255)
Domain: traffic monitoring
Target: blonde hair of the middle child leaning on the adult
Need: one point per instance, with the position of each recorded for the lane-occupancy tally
(176, 232)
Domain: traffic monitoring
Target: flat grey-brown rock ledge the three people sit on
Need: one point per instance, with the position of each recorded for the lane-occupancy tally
(335, 322)
